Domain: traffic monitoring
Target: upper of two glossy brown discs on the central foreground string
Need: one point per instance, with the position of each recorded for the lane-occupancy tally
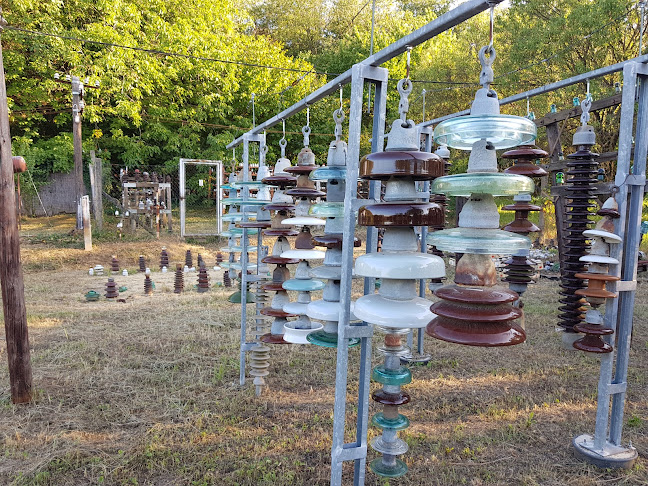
(418, 166)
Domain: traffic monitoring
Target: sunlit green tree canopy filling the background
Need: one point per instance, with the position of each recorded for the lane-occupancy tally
(177, 77)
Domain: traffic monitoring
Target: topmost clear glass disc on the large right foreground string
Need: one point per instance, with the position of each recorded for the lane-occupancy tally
(503, 131)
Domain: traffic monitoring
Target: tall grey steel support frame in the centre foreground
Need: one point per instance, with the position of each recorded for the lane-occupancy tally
(356, 451)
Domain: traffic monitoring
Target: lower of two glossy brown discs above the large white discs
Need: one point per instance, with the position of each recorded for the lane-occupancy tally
(402, 213)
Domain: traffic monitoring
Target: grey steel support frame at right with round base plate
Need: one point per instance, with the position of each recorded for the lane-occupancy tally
(605, 448)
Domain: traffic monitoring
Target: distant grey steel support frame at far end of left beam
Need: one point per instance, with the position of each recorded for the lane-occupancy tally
(245, 194)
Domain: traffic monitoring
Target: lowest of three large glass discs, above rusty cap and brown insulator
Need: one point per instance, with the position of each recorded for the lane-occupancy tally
(478, 241)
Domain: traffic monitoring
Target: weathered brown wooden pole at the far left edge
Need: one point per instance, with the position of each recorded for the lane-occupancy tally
(11, 277)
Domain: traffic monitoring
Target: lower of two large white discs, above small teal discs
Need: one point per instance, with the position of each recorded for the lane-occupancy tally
(401, 314)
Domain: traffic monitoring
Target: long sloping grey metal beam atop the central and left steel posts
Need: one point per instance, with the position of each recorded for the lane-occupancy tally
(446, 21)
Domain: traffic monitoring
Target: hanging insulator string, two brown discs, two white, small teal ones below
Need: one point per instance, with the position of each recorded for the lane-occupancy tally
(400, 265)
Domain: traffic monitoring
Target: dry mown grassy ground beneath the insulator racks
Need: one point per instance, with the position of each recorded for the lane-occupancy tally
(146, 391)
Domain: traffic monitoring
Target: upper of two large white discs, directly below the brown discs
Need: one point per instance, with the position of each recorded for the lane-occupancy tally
(405, 265)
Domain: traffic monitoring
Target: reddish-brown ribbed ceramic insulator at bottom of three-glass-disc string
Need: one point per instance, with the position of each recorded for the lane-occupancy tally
(476, 317)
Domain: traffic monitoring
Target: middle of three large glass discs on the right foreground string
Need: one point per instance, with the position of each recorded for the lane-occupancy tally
(494, 183)
